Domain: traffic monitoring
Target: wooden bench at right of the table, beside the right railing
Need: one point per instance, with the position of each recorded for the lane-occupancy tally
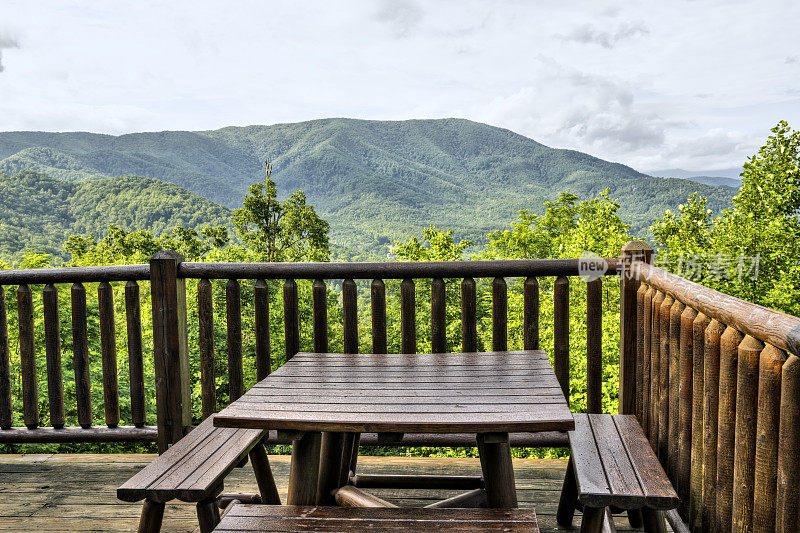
(613, 465)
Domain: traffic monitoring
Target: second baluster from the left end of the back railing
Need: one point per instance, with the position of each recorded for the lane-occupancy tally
(27, 355)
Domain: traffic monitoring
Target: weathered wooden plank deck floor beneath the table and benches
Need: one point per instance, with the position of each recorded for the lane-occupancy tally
(77, 492)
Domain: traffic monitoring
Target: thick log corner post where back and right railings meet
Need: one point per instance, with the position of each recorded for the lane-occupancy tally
(633, 251)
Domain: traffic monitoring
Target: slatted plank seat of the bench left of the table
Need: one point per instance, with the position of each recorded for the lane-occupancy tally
(194, 468)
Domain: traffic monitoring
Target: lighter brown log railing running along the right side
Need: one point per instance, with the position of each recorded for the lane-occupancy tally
(717, 391)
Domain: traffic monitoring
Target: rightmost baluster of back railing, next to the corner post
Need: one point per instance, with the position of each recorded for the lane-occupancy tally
(594, 346)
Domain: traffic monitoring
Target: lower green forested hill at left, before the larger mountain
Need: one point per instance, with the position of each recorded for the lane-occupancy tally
(40, 212)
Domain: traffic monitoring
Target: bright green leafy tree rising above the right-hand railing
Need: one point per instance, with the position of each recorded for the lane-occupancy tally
(750, 250)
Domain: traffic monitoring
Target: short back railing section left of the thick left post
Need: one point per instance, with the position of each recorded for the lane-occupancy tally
(52, 281)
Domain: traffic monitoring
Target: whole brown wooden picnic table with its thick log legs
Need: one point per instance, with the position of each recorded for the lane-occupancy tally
(324, 400)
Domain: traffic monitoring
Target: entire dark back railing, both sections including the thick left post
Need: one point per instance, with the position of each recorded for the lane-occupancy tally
(167, 274)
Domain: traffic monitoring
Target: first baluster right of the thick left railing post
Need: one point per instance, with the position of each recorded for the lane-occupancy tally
(205, 341)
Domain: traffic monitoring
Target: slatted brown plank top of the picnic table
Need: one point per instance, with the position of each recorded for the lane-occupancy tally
(421, 393)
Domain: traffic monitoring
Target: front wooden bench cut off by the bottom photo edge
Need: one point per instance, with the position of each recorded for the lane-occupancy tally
(266, 518)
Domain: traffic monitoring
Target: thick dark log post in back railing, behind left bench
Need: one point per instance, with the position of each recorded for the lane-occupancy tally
(170, 348)
